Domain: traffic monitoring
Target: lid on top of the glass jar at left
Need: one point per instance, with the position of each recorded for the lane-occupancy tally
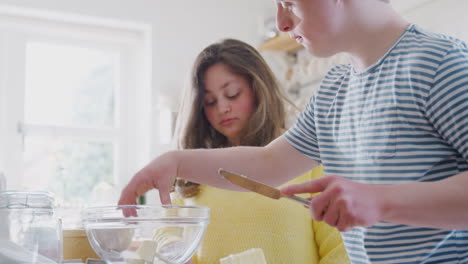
(25, 199)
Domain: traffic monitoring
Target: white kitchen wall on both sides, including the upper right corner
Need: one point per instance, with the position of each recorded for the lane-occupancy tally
(181, 28)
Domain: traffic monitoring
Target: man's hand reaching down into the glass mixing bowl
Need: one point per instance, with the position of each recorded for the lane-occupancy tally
(159, 174)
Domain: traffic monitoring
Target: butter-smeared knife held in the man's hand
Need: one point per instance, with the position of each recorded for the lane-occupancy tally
(258, 187)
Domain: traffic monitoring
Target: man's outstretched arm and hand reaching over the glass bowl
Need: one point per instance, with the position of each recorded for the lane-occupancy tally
(273, 164)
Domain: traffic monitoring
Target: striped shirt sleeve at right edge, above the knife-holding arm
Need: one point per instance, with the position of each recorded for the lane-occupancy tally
(447, 103)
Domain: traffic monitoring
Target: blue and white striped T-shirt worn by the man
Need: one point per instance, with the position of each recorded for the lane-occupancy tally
(404, 119)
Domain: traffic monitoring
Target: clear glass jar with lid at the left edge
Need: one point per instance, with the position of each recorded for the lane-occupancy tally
(30, 231)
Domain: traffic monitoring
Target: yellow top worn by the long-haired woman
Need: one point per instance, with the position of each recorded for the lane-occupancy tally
(282, 228)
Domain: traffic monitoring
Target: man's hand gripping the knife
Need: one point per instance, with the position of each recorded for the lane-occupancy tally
(342, 203)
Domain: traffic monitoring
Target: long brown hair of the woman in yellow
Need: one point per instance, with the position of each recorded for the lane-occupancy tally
(266, 123)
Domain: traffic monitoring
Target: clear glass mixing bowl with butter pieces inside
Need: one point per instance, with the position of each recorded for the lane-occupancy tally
(145, 234)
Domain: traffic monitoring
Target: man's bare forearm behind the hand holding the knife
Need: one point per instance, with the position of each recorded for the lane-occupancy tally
(441, 204)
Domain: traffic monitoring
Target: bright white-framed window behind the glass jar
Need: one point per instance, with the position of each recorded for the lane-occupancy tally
(74, 104)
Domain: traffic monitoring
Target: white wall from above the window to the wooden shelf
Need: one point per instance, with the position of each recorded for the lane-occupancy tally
(181, 28)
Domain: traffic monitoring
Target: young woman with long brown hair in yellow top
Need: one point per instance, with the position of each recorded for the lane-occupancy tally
(235, 100)
